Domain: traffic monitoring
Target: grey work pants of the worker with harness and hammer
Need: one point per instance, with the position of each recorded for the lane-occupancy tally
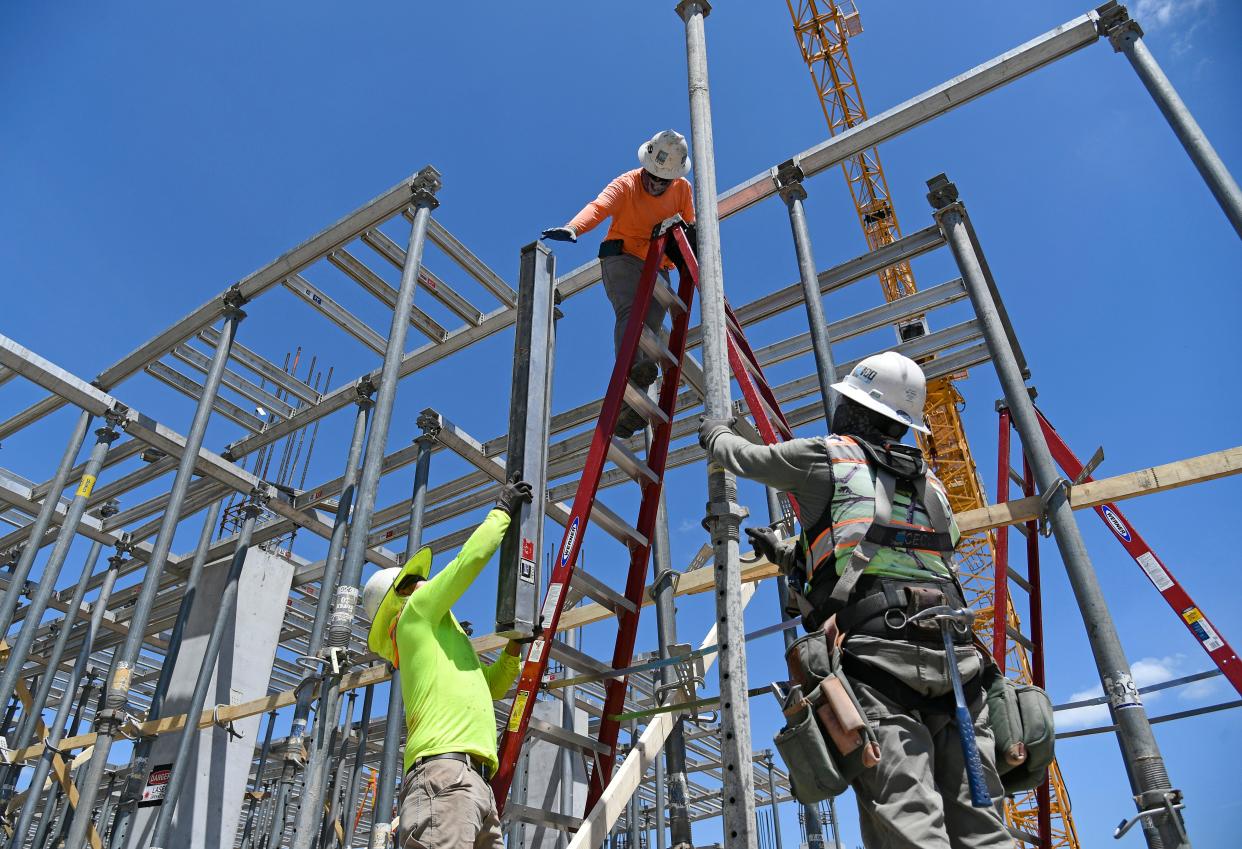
(918, 797)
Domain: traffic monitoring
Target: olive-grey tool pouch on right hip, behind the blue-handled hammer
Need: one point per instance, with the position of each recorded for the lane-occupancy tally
(1023, 725)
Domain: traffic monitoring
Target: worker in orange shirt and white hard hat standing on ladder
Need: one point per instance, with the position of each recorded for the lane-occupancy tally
(637, 202)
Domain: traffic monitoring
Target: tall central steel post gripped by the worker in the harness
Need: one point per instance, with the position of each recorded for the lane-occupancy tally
(725, 513)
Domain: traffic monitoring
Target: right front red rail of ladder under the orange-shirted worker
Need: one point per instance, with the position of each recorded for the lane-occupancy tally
(658, 456)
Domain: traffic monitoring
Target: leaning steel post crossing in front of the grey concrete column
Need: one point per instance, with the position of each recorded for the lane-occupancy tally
(182, 761)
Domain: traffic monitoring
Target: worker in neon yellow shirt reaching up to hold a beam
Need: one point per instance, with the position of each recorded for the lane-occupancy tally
(450, 752)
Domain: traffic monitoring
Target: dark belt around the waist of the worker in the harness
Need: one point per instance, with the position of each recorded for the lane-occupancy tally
(887, 605)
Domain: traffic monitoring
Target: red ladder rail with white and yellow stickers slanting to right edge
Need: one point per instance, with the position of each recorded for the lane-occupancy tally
(1192, 616)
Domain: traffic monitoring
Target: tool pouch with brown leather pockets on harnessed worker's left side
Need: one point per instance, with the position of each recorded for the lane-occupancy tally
(827, 742)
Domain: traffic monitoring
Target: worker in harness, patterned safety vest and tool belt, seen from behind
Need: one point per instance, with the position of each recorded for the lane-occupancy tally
(876, 549)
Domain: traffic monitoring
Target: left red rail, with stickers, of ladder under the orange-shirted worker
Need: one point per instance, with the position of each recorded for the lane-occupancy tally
(536, 665)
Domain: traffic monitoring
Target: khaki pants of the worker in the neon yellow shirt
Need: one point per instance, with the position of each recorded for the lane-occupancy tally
(446, 805)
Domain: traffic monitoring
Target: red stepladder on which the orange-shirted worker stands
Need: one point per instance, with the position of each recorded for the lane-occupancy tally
(670, 239)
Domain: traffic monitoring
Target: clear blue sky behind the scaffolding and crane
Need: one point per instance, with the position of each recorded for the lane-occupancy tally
(153, 156)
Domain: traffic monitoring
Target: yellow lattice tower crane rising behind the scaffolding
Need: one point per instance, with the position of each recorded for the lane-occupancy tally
(824, 29)
